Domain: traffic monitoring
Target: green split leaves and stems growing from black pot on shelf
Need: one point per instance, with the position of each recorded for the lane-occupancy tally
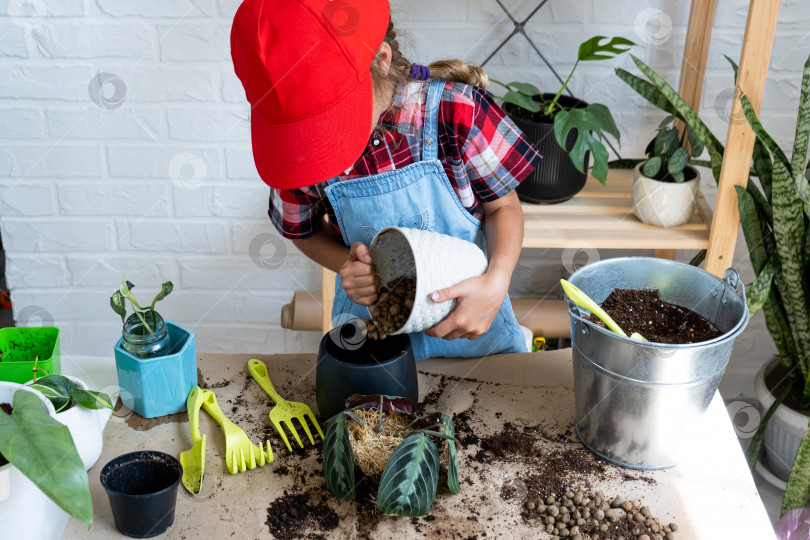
(590, 122)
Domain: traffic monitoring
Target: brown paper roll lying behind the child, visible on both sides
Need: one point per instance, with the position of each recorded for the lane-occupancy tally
(547, 318)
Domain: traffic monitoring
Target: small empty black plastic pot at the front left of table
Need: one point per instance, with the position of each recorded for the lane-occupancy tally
(142, 488)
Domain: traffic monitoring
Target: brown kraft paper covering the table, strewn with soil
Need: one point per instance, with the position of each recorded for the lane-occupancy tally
(710, 495)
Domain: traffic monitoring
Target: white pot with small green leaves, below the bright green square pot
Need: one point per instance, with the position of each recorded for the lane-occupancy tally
(82, 410)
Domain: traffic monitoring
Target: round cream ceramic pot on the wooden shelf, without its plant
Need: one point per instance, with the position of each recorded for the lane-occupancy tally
(664, 204)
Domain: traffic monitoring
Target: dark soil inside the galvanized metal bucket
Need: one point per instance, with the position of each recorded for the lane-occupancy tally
(644, 312)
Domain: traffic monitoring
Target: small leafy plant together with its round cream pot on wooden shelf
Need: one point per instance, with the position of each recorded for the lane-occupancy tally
(665, 186)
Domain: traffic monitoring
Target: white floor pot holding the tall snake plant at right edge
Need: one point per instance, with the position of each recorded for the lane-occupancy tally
(784, 432)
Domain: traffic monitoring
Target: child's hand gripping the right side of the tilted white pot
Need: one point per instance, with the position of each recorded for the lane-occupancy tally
(479, 300)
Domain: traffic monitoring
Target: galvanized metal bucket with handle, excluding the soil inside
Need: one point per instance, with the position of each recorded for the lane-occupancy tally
(635, 400)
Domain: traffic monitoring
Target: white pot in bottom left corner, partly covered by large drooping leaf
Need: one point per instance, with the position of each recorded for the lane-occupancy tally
(26, 512)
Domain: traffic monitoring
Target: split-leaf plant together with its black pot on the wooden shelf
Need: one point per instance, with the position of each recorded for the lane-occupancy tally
(578, 129)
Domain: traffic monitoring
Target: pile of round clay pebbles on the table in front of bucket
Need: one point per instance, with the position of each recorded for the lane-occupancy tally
(582, 516)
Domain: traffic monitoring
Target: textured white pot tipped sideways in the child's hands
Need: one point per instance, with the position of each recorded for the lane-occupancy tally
(436, 260)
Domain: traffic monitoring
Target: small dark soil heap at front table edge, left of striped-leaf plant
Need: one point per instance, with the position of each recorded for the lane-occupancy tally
(296, 516)
